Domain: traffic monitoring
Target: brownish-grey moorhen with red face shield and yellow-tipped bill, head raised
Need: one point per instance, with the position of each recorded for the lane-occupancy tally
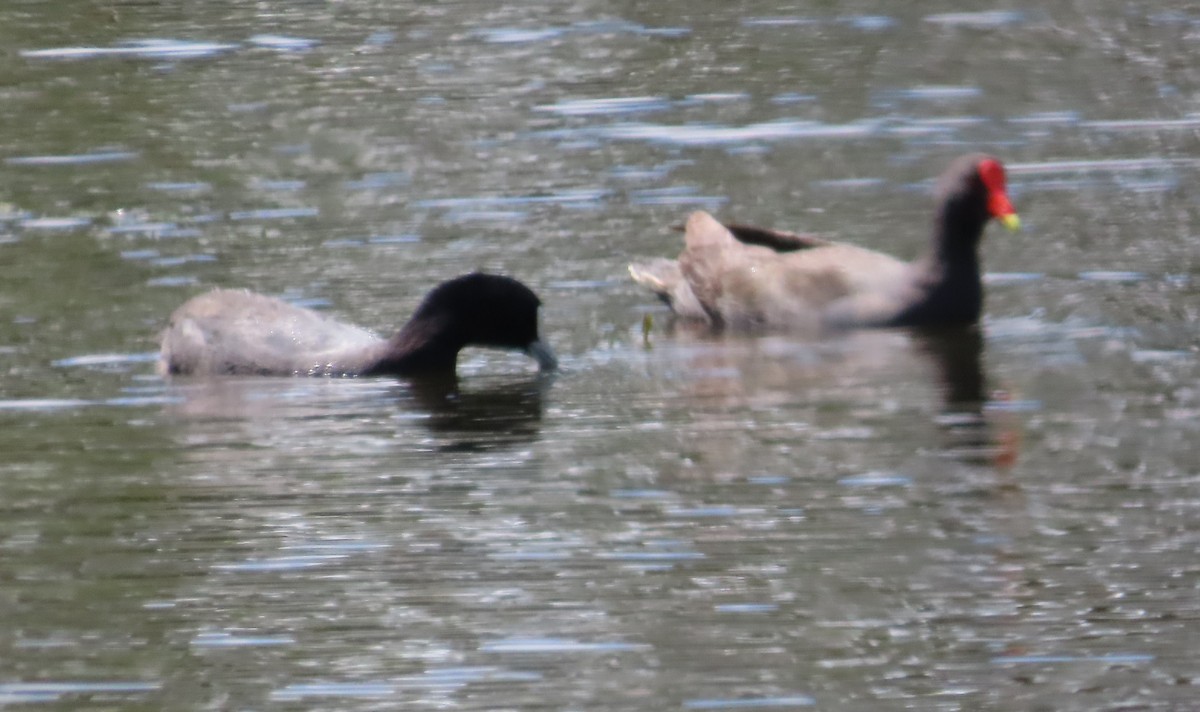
(743, 277)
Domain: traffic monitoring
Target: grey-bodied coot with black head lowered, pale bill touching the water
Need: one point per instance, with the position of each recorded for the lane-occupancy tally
(235, 332)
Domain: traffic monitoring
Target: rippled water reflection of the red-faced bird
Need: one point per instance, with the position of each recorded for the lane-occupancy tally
(872, 372)
